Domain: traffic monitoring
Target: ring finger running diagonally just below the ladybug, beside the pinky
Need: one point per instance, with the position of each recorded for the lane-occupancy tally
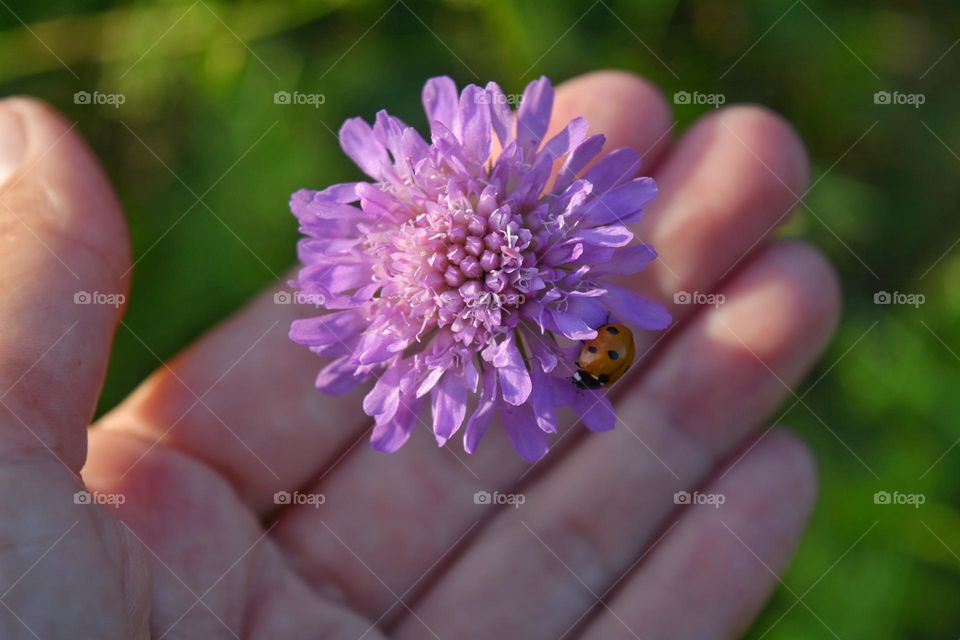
(721, 375)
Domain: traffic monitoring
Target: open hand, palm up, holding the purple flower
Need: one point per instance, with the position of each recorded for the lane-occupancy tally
(399, 549)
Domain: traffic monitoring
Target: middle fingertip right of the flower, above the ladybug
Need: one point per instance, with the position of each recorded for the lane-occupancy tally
(729, 182)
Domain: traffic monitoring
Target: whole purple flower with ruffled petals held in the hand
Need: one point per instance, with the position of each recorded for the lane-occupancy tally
(464, 282)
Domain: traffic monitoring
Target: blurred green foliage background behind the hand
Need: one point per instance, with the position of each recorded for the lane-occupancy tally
(204, 159)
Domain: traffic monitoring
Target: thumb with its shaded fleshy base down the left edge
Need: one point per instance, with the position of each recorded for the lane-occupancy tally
(61, 234)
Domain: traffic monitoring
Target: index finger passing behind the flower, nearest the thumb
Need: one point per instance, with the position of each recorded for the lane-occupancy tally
(242, 399)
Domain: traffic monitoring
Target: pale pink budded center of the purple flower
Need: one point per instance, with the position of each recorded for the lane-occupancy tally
(467, 265)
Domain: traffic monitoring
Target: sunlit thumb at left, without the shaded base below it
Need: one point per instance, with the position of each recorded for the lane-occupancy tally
(64, 254)
